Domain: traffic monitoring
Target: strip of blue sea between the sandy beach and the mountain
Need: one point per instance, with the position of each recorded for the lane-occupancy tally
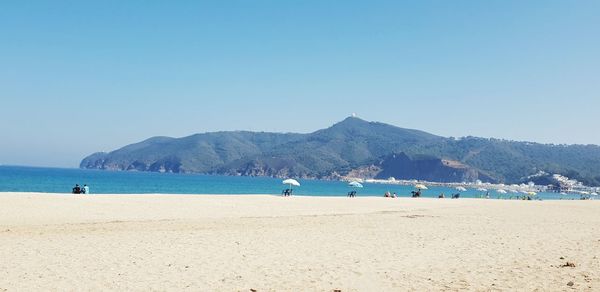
(62, 180)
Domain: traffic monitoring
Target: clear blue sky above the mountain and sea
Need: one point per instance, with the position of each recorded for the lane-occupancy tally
(78, 77)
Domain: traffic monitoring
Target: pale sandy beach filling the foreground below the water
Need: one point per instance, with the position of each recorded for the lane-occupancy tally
(269, 243)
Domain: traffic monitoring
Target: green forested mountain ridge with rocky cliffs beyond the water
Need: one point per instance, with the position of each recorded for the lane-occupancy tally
(354, 147)
